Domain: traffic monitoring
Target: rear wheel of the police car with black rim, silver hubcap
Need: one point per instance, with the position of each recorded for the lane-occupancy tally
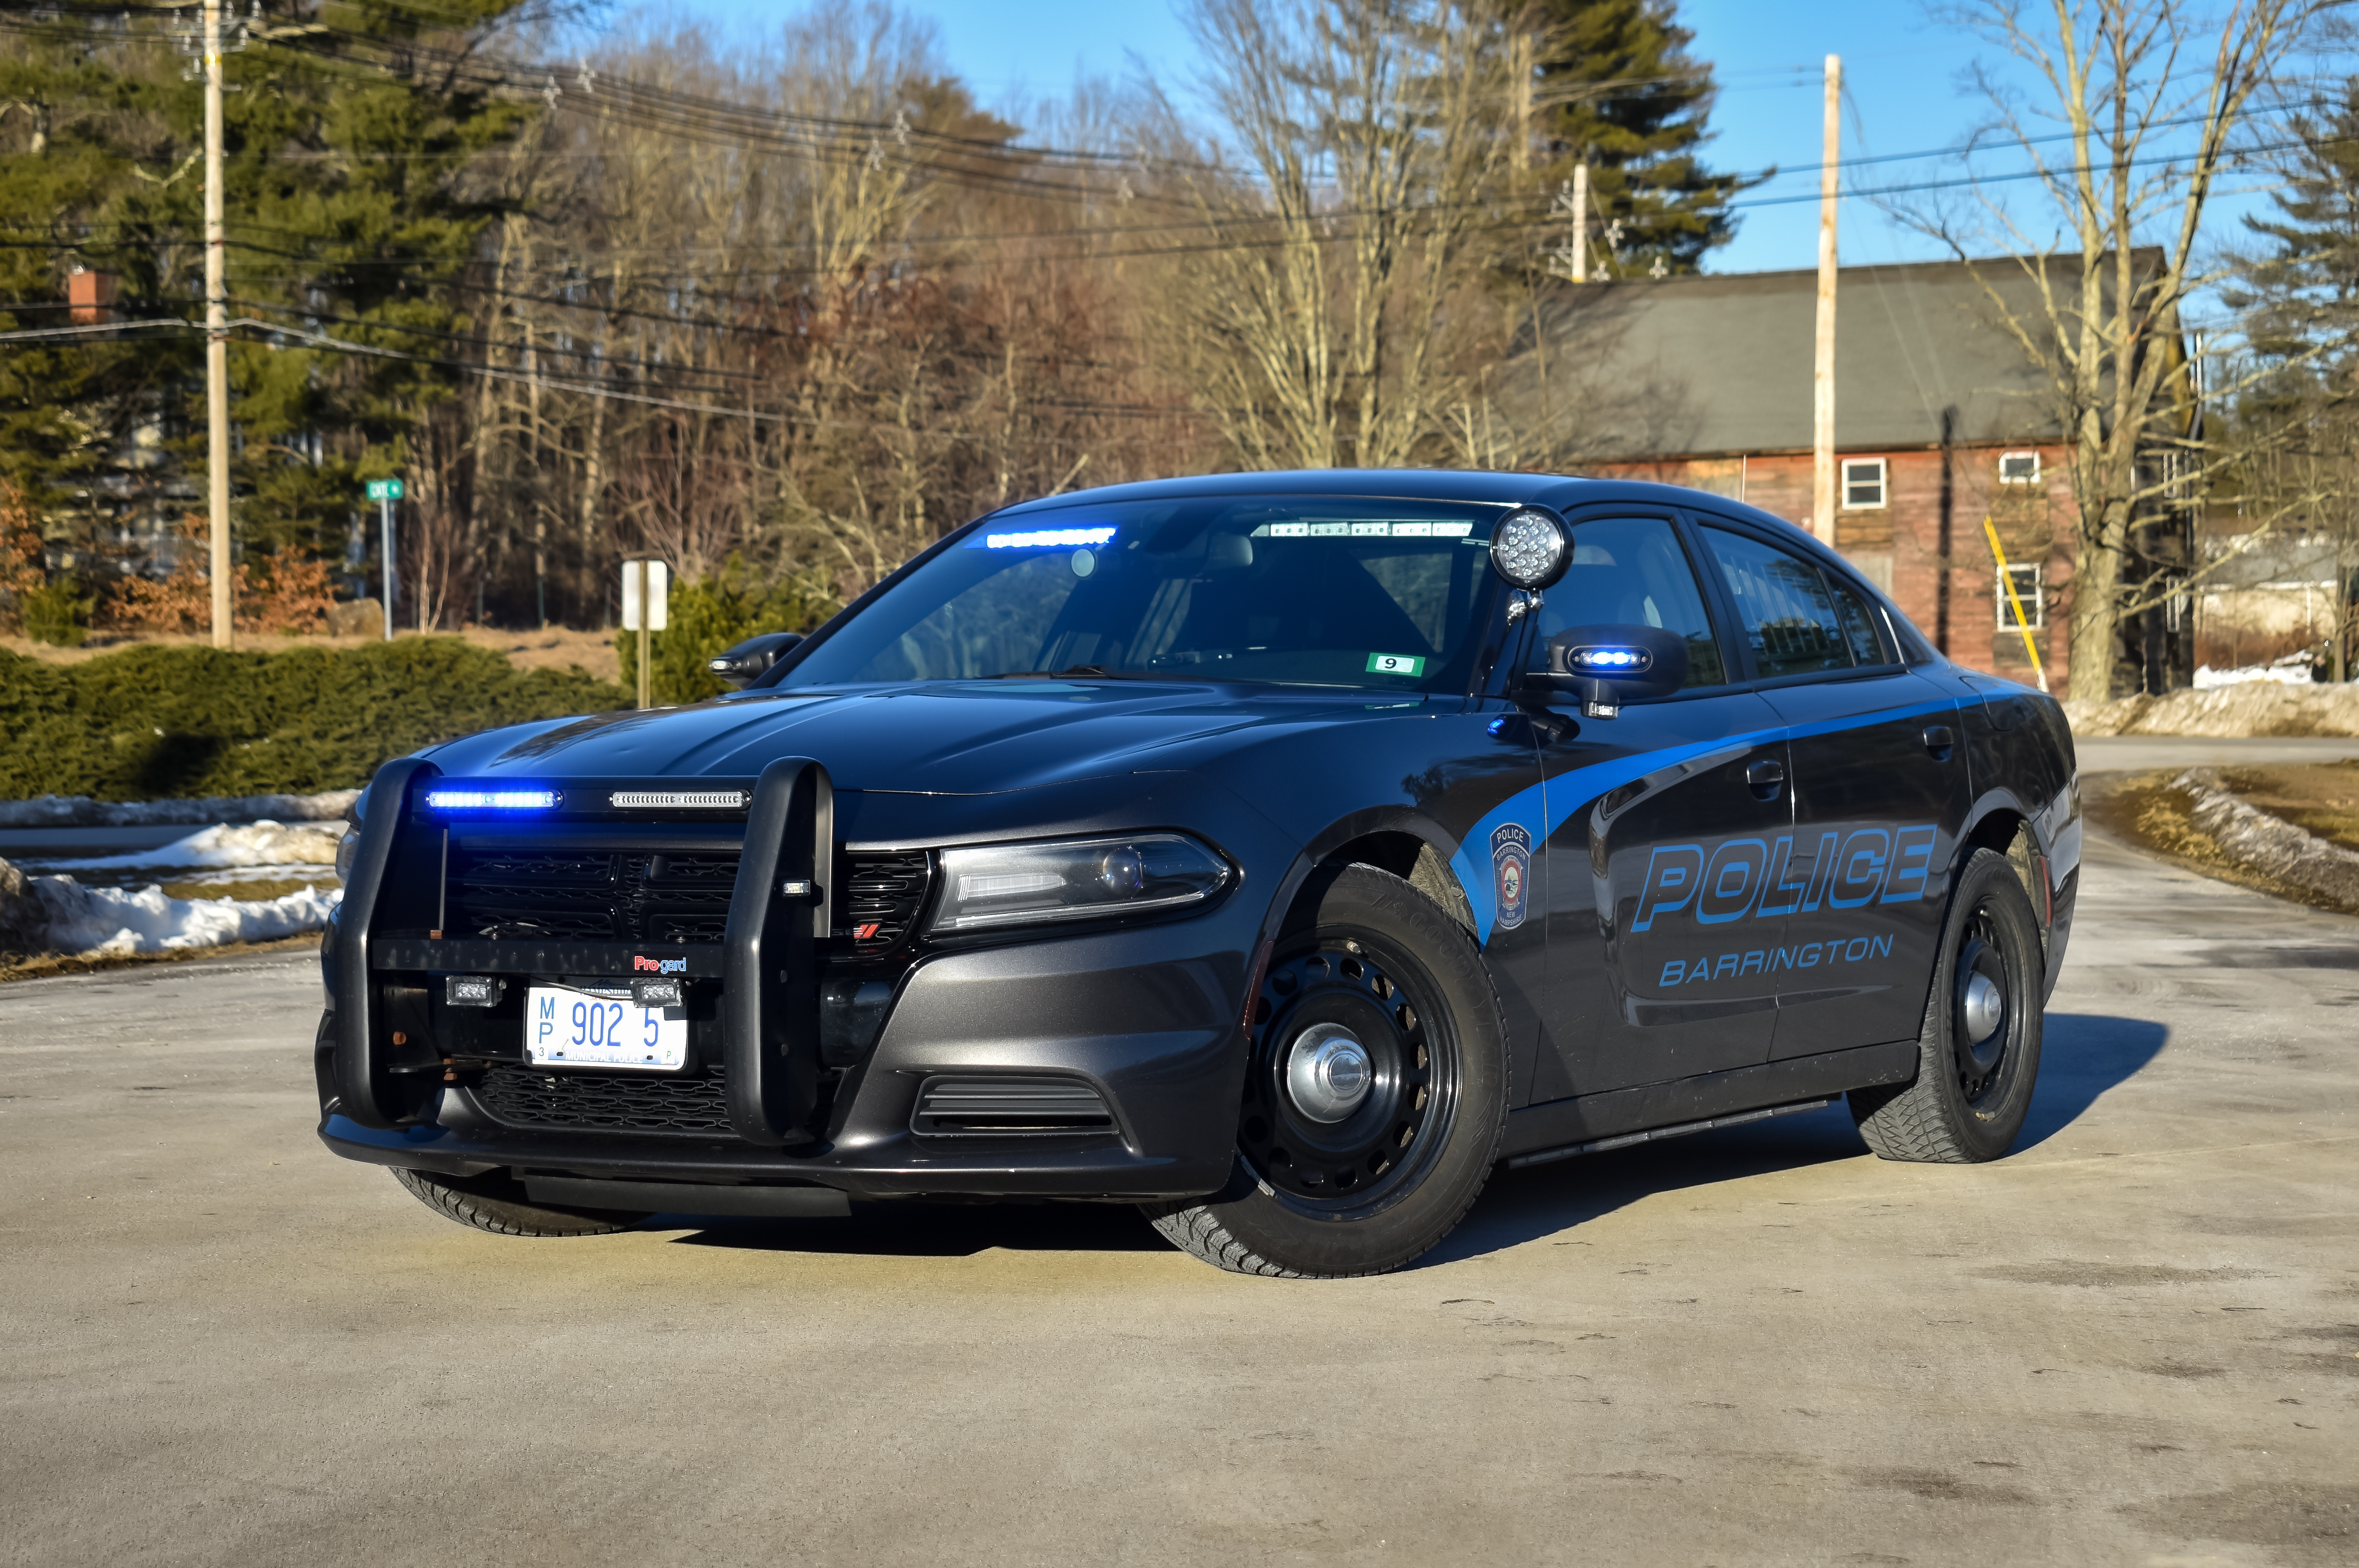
(1971, 1095)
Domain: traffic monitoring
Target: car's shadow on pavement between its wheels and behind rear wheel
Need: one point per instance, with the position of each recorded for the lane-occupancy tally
(2082, 1058)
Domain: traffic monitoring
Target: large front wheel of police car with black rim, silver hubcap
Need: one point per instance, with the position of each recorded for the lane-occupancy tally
(1336, 1187)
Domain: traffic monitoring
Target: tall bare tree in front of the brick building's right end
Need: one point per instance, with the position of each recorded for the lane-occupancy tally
(2136, 117)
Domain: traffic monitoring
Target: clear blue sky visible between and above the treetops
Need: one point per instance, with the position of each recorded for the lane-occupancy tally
(1900, 72)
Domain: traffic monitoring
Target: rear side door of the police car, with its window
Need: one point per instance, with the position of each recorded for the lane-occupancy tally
(1879, 796)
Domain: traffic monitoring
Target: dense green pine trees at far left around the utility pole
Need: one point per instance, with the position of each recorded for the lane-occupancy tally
(346, 150)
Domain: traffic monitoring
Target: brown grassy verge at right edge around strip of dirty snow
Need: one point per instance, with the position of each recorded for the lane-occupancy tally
(2160, 817)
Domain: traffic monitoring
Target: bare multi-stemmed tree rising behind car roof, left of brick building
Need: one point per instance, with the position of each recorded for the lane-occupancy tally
(1318, 312)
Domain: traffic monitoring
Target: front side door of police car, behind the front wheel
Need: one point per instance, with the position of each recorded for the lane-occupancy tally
(1662, 829)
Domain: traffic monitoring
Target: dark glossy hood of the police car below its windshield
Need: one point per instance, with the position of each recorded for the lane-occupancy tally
(935, 739)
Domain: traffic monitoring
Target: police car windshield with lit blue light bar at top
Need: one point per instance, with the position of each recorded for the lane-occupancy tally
(1292, 591)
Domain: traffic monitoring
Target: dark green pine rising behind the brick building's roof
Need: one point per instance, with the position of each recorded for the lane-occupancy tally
(1617, 88)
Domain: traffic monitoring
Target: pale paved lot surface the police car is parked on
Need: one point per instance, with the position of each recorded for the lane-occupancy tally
(2134, 1343)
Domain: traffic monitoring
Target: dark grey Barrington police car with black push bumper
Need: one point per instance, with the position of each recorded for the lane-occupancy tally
(1277, 852)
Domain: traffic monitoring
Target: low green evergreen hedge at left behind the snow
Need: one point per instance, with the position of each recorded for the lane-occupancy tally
(164, 723)
